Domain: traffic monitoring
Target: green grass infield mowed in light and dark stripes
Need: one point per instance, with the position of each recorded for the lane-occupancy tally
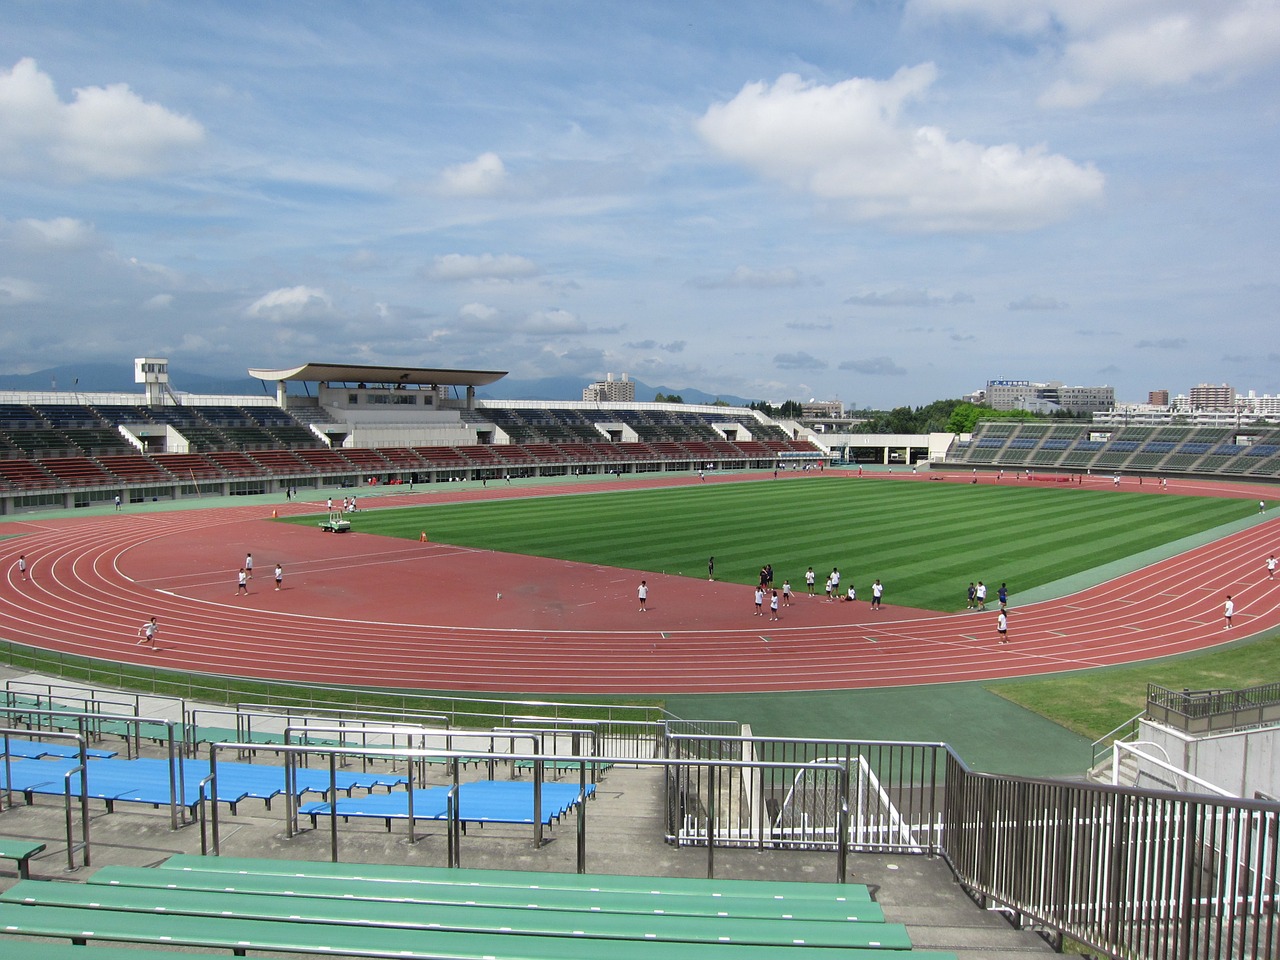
(924, 541)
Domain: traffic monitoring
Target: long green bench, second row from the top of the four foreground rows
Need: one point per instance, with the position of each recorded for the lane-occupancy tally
(511, 897)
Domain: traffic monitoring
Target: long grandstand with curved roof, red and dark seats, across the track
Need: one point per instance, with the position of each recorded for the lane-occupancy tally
(362, 426)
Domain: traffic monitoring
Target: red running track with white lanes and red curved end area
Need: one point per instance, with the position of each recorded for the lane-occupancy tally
(364, 611)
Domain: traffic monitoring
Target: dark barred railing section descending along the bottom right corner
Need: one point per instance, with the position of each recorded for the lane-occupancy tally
(1135, 874)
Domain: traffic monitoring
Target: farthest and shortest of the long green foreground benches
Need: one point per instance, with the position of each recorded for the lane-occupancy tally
(780, 892)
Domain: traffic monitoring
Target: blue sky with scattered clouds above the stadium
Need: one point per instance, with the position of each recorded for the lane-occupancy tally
(876, 202)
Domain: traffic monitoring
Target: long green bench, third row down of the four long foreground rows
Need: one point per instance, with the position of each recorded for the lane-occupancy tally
(465, 918)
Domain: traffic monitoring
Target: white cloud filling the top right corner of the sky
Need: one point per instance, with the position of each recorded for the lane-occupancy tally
(1142, 43)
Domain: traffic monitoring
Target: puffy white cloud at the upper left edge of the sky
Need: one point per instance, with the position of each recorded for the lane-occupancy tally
(104, 132)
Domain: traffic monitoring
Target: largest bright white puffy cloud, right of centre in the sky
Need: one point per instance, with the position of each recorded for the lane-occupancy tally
(848, 144)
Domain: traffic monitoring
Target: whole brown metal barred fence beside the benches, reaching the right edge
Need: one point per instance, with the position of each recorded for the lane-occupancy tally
(1133, 874)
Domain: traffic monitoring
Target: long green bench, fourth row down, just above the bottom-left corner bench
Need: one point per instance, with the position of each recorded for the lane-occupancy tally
(84, 924)
